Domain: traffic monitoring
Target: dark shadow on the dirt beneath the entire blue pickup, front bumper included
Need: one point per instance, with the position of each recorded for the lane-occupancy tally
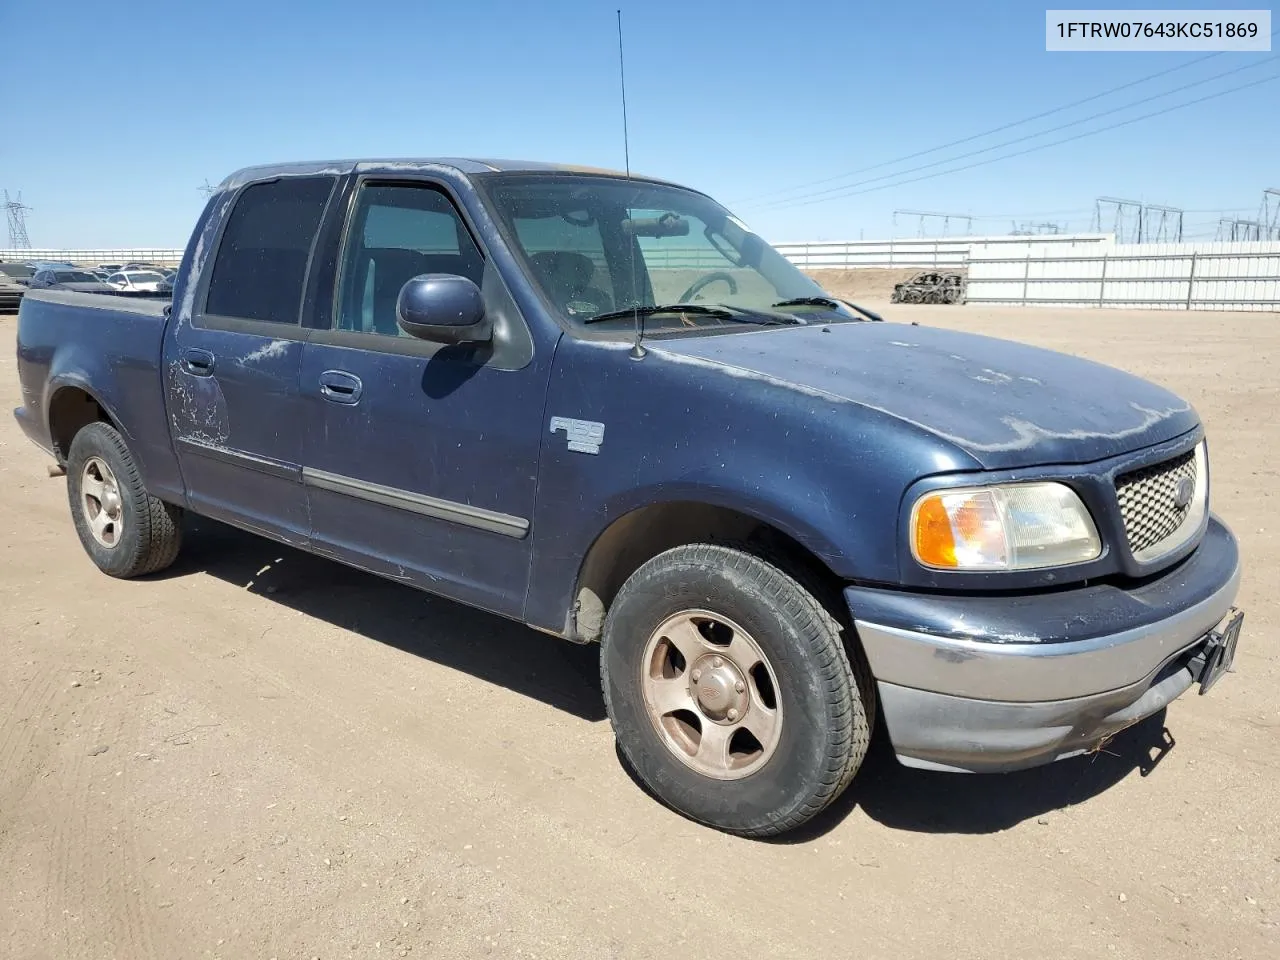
(566, 676)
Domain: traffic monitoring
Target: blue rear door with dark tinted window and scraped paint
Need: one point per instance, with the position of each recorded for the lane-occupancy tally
(232, 373)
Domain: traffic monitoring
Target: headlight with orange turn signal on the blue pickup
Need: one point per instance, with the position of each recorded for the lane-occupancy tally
(1014, 527)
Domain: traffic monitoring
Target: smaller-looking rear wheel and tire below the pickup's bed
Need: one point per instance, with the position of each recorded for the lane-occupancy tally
(125, 531)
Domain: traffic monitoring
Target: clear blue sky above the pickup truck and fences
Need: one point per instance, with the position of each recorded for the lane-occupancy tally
(124, 112)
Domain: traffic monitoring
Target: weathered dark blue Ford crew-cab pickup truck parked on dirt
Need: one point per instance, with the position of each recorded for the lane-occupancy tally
(602, 406)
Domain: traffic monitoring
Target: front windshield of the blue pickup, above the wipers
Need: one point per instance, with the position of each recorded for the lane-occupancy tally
(598, 245)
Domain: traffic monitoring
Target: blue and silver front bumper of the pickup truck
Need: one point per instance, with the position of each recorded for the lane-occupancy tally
(981, 683)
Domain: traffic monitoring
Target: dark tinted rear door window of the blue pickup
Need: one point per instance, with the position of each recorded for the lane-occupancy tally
(262, 264)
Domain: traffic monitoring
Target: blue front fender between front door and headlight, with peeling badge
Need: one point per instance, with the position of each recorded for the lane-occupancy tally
(828, 474)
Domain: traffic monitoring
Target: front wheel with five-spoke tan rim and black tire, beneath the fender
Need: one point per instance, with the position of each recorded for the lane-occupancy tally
(730, 691)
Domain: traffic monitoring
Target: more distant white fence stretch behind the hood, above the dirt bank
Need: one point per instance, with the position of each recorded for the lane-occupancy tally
(925, 253)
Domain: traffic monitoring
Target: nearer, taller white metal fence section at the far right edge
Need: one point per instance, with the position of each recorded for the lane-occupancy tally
(1149, 276)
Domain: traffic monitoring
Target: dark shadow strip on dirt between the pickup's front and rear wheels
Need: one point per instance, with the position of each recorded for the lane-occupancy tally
(491, 648)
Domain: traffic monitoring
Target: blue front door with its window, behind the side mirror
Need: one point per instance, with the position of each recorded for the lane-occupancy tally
(420, 460)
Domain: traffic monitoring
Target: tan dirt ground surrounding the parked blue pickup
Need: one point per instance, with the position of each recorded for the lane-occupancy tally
(262, 755)
